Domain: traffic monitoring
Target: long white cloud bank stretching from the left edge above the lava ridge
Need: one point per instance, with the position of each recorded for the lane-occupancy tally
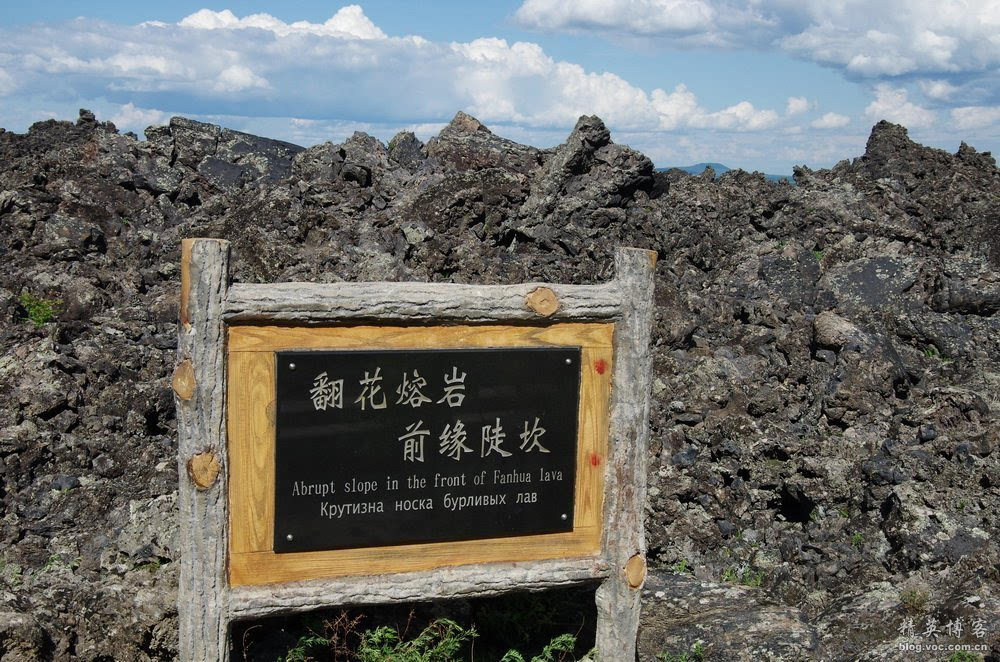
(347, 68)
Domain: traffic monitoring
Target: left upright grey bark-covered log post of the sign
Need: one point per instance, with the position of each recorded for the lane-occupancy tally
(201, 428)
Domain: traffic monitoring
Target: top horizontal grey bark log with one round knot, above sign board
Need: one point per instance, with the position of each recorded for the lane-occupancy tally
(412, 302)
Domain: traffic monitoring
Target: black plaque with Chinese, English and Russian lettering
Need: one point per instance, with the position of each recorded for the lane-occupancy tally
(389, 447)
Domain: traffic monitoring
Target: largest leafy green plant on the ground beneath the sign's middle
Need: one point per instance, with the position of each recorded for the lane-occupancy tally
(438, 642)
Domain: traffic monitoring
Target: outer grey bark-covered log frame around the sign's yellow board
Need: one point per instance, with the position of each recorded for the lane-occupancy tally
(208, 603)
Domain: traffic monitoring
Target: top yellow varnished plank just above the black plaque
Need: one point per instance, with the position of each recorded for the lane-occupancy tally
(278, 338)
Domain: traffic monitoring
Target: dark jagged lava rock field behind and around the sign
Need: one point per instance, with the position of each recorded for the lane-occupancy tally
(824, 452)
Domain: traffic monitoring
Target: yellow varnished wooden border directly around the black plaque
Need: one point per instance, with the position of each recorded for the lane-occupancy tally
(251, 429)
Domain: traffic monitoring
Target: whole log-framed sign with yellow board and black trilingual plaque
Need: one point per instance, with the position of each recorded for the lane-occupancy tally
(364, 443)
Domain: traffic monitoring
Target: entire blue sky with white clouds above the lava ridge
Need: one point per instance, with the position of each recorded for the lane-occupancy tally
(758, 84)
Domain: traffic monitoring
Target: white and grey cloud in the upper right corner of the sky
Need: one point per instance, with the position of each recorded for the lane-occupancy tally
(863, 39)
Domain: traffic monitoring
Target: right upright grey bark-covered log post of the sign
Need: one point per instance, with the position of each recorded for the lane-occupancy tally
(625, 494)
